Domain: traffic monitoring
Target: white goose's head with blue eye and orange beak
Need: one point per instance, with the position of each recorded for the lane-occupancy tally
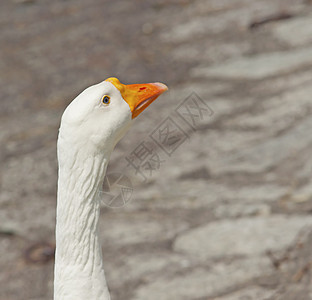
(100, 116)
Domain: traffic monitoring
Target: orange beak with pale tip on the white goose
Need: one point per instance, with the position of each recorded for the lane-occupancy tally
(138, 96)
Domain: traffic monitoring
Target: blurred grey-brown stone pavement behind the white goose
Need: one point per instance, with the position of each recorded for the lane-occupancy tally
(227, 213)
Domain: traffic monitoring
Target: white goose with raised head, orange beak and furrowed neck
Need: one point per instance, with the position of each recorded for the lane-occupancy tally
(90, 128)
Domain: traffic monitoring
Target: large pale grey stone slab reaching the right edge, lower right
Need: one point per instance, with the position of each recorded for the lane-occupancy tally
(246, 236)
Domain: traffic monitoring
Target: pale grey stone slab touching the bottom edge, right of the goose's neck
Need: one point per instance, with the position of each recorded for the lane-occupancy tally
(199, 283)
